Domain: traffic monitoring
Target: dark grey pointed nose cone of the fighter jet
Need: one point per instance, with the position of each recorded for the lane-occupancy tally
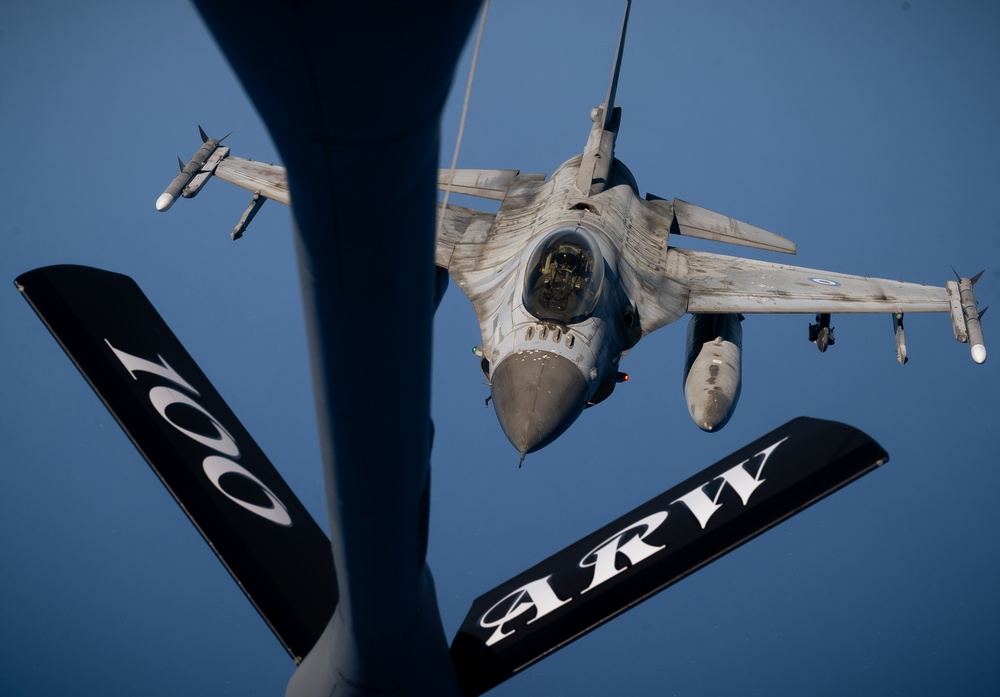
(537, 395)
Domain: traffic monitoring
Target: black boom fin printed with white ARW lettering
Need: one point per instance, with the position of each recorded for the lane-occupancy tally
(656, 545)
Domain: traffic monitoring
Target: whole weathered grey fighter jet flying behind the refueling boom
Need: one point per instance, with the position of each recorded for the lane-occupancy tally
(575, 268)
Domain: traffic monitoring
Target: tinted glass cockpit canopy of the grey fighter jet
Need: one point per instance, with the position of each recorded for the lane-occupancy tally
(564, 277)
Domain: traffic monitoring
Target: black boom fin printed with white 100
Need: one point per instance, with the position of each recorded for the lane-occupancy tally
(218, 475)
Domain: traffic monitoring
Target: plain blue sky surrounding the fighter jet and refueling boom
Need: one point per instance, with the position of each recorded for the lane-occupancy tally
(867, 132)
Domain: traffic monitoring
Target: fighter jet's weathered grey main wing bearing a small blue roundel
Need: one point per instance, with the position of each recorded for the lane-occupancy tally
(719, 283)
